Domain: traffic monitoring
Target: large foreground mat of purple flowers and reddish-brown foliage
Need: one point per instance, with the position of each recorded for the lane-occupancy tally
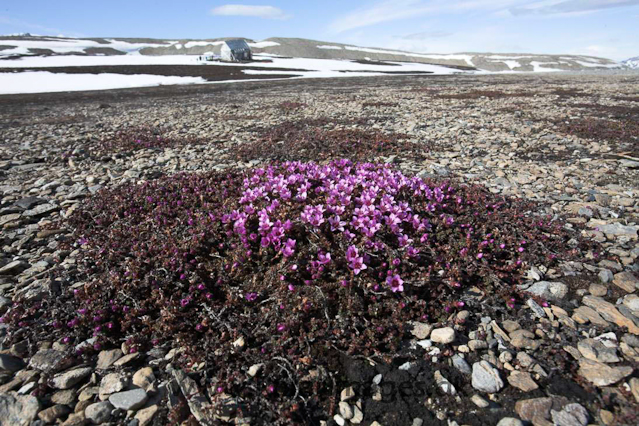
(295, 257)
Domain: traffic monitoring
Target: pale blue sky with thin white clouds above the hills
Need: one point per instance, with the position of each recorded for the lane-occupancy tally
(608, 28)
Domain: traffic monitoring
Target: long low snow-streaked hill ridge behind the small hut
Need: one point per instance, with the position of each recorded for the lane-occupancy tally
(27, 45)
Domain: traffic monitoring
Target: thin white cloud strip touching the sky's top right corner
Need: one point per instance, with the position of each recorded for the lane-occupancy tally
(554, 7)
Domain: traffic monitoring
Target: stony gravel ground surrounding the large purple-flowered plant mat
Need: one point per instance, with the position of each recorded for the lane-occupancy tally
(568, 355)
